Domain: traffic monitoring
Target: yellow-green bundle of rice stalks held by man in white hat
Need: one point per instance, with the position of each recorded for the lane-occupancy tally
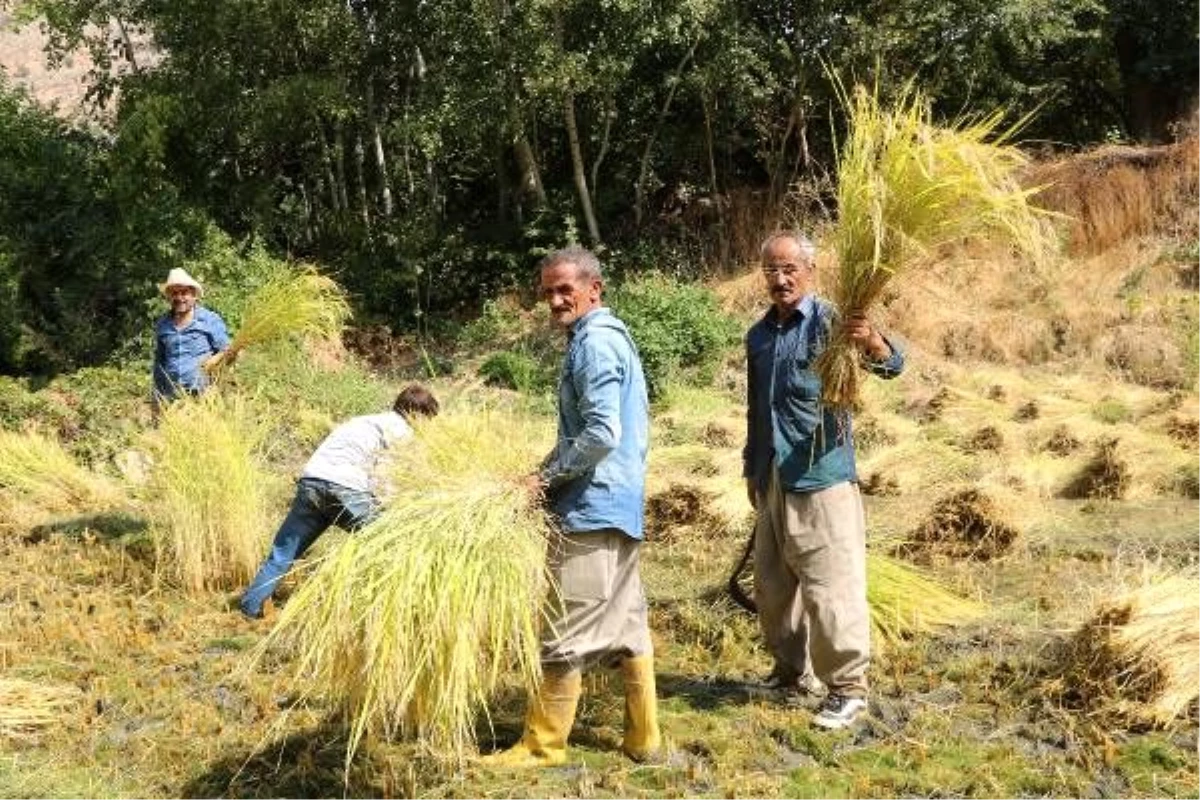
(296, 304)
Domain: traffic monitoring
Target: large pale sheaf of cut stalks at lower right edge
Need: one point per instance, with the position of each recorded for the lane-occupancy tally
(1138, 658)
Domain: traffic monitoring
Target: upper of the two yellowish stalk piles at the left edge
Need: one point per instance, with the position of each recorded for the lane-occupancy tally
(39, 473)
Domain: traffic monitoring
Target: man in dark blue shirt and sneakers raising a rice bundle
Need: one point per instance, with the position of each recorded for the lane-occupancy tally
(811, 534)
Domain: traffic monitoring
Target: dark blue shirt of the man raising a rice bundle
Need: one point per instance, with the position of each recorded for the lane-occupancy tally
(812, 446)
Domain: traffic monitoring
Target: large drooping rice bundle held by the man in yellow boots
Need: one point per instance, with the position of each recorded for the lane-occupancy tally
(411, 624)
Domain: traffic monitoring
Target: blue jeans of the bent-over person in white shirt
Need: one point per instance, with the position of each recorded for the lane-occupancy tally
(317, 507)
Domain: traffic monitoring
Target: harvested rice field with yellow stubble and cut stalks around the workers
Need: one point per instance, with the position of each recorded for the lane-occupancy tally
(1040, 464)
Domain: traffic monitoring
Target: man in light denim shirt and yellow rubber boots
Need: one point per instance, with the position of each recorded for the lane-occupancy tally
(595, 482)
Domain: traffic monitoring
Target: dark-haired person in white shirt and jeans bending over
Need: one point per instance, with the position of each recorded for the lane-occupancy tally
(338, 488)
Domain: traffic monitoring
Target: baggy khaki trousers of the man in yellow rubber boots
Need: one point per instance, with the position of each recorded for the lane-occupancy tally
(598, 613)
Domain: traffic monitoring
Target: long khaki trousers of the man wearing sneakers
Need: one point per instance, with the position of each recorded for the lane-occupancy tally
(811, 582)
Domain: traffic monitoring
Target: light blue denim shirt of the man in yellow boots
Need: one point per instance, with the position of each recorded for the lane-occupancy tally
(596, 476)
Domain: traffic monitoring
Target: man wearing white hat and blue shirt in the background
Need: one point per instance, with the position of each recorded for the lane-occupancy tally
(190, 340)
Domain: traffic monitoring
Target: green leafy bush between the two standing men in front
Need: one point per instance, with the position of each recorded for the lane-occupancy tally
(680, 329)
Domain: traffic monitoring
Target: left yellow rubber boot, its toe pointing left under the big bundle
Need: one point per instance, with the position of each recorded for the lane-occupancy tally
(549, 723)
